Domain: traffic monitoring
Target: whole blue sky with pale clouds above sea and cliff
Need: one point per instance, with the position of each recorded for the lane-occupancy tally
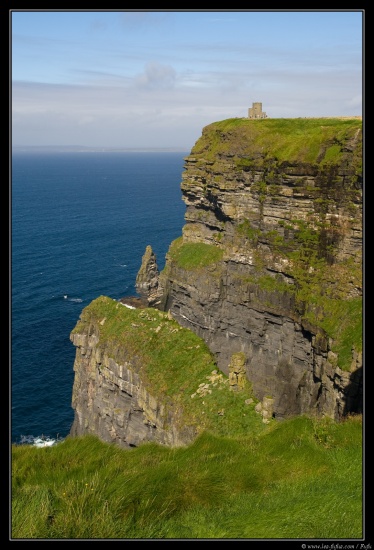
(153, 79)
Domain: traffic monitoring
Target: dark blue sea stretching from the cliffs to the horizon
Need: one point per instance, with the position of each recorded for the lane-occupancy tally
(80, 223)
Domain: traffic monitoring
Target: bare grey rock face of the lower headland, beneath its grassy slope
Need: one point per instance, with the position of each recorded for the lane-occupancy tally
(111, 402)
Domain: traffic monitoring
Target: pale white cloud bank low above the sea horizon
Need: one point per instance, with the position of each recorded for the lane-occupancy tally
(160, 115)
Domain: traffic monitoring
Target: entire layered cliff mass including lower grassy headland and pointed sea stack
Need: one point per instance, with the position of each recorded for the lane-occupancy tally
(259, 306)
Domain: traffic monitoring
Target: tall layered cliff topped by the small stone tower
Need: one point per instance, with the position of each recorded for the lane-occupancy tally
(269, 263)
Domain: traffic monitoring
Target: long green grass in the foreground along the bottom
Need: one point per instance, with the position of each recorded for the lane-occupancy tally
(301, 478)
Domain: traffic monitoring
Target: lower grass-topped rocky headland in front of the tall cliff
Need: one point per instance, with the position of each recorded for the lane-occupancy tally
(140, 377)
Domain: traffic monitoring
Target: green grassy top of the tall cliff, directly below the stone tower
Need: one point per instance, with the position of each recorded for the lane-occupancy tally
(289, 140)
